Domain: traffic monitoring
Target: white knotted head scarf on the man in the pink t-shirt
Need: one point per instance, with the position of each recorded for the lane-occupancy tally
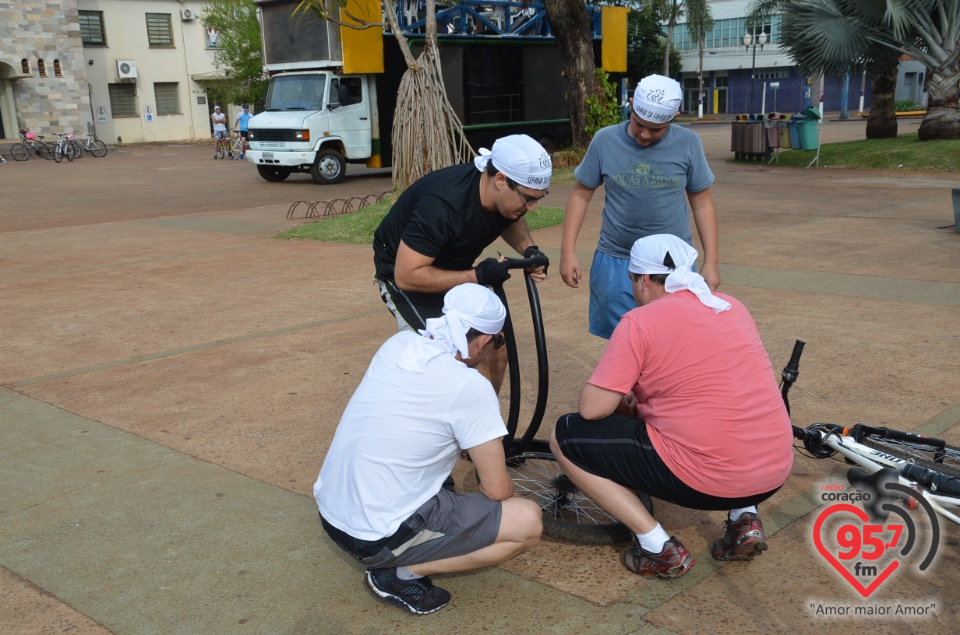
(647, 256)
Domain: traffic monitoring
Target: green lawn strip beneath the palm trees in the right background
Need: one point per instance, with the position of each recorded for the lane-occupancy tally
(905, 152)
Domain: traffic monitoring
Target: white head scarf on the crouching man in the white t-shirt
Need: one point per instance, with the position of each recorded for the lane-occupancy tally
(465, 306)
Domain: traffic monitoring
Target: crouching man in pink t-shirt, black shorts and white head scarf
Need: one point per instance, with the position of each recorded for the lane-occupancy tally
(683, 406)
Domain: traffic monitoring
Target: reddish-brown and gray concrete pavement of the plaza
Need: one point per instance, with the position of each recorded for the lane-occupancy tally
(171, 377)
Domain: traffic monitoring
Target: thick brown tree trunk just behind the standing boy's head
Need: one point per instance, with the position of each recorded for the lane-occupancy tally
(571, 26)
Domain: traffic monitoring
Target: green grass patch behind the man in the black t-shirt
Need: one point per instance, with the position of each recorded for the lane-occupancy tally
(357, 227)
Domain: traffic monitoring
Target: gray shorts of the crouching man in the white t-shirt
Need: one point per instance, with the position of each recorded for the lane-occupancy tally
(446, 526)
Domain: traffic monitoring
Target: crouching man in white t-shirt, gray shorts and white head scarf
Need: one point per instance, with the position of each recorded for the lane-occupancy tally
(420, 405)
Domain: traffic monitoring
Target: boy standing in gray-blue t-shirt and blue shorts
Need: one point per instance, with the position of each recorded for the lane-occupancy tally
(648, 168)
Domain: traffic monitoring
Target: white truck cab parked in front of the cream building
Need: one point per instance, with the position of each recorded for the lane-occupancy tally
(314, 121)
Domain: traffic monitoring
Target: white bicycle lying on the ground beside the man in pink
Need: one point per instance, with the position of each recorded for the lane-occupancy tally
(924, 470)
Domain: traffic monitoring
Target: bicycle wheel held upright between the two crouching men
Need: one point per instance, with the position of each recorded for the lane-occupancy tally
(568, 513)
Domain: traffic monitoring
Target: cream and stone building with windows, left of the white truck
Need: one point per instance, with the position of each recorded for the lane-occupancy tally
(132, 70)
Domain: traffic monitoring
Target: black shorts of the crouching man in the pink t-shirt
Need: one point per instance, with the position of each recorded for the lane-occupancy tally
(618, 448)
